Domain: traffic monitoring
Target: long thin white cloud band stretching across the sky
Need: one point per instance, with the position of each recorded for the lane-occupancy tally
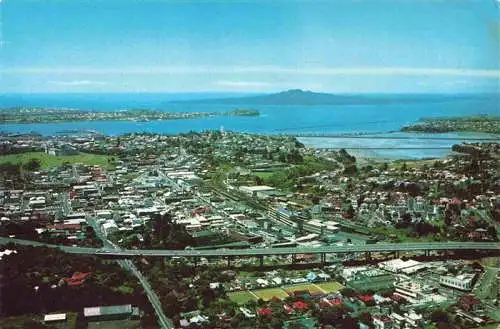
(318, 71)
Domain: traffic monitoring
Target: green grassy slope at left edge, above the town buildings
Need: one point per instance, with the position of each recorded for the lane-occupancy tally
(48, 161)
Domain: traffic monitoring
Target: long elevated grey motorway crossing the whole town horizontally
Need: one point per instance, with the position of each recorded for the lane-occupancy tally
(386, 247)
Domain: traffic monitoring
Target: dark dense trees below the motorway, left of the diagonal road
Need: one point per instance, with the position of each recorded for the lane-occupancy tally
(33, 281)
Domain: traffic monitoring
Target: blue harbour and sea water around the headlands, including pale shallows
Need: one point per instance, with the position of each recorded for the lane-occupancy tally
(381, 117)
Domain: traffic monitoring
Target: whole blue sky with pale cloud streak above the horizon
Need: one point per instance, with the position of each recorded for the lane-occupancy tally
(338, 46)
